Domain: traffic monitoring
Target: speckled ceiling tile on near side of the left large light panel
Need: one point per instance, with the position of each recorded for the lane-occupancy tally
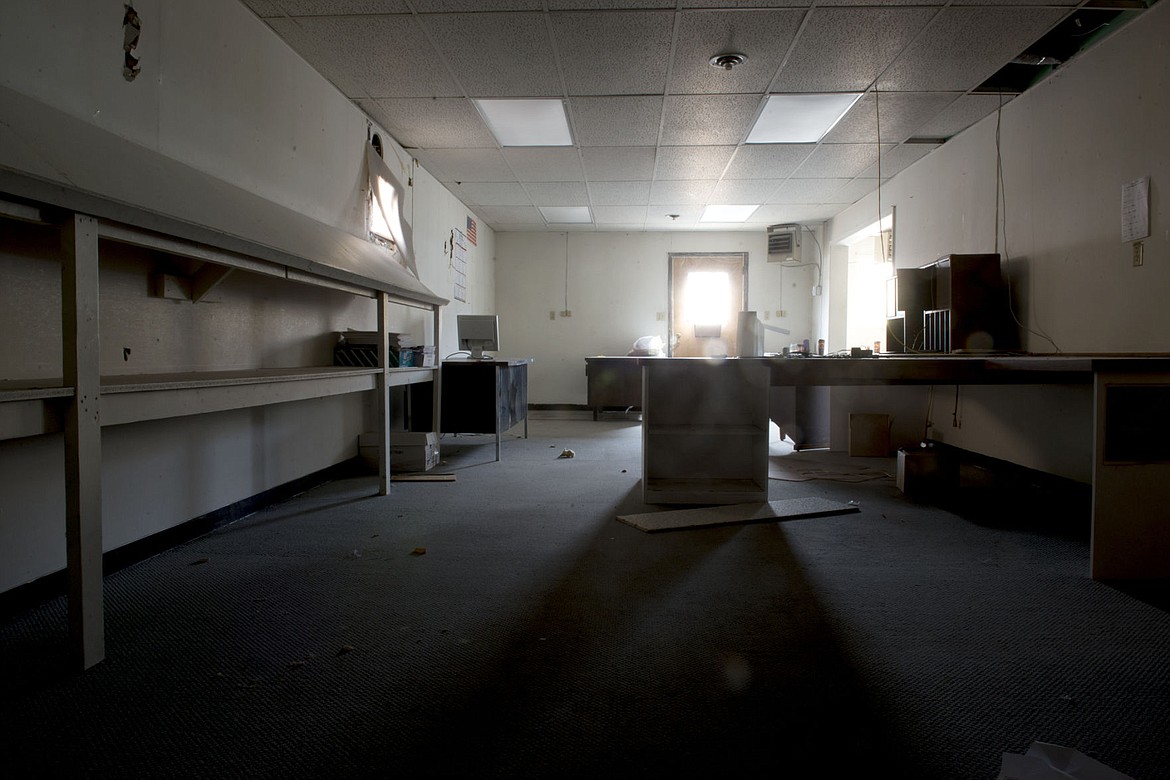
(497, 56)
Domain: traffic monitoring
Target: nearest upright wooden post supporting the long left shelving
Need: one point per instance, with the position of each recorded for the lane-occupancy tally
(84, 439)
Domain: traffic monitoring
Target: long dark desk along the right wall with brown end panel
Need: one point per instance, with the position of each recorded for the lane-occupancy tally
(1131, 441)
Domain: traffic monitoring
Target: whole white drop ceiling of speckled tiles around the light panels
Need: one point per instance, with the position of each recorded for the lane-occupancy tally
(658, 133)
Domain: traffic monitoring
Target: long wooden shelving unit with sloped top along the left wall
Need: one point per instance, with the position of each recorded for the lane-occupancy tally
(224, 230)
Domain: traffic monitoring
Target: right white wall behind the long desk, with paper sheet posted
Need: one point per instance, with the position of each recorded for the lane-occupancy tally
(1069, 146)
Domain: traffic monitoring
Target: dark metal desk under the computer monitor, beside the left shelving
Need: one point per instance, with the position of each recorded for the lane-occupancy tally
(480, 397)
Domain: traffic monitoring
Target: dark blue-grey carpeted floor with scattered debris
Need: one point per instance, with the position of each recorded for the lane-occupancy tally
(507, 625)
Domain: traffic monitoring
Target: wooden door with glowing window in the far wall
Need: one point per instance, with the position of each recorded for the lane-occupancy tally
(708, 292)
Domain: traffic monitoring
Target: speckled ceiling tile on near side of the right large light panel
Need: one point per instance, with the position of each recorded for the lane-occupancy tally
(845, 50)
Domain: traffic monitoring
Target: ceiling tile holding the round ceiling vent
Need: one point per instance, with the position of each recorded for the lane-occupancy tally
(762, 36)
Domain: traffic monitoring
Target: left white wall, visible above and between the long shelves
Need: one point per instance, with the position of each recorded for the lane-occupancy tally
(222, 93)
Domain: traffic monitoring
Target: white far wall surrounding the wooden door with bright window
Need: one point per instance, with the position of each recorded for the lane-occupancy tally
(616, 287)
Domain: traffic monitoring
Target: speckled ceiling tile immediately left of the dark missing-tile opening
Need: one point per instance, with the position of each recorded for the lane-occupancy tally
(962, 47)
